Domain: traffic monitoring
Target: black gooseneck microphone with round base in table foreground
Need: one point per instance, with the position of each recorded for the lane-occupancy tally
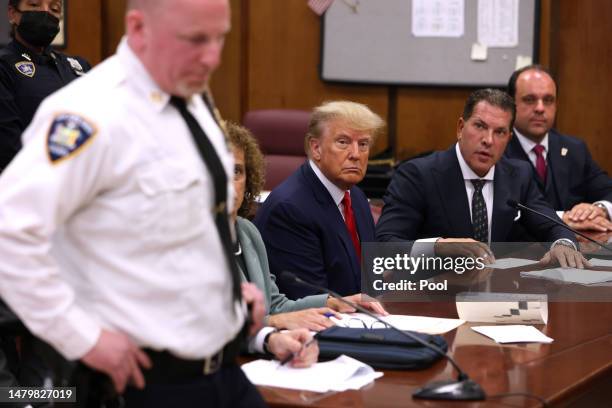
(461, 389)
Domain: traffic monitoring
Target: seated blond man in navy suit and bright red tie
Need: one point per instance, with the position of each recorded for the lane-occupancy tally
(314, 222)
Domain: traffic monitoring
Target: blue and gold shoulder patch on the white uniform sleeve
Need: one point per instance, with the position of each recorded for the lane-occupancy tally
(69, 133)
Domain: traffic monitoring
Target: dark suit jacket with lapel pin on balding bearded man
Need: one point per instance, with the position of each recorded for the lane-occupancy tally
(572, 178)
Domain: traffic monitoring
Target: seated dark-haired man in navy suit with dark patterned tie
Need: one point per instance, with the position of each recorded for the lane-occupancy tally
(461, 194)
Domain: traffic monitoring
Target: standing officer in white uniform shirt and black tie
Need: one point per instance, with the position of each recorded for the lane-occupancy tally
(111, 252)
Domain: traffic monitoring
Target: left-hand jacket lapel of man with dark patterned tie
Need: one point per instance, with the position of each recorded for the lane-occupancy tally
(451, 188)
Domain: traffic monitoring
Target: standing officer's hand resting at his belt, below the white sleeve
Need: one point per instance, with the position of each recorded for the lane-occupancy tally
(117, 356)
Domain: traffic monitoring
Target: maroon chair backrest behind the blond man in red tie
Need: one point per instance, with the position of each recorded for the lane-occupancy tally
(280, 133)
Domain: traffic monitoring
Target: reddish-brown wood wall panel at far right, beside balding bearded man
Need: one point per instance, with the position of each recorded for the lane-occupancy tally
(584, 72)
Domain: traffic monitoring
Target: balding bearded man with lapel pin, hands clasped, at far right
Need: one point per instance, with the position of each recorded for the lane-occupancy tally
(561, 165)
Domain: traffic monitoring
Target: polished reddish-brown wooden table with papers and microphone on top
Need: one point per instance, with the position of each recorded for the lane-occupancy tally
(575, 370)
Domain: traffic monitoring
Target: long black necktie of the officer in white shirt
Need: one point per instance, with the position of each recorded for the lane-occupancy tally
(215, 167)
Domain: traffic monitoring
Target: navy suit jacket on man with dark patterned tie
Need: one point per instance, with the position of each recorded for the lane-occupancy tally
(427, 198)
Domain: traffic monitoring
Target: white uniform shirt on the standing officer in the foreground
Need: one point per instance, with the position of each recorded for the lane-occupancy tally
(121, 234)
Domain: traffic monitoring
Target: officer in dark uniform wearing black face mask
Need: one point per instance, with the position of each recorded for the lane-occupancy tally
(29, 71)
